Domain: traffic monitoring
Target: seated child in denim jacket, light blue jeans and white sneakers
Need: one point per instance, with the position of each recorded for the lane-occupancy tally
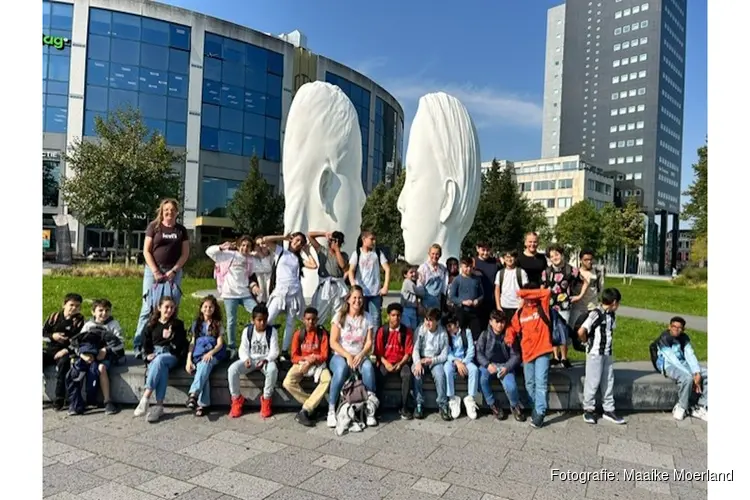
(460, 361)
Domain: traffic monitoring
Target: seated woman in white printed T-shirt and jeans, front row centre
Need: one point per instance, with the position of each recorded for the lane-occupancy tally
(351, 341)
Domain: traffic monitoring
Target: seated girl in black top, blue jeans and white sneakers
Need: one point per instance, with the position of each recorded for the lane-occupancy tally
(165, 346)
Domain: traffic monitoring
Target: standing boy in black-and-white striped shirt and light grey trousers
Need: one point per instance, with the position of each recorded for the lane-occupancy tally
(597, 333)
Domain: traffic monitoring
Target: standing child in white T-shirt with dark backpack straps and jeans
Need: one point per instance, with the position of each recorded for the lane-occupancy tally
(364, 270)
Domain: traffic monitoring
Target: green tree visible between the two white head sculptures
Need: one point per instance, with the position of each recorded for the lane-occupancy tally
(380, 215)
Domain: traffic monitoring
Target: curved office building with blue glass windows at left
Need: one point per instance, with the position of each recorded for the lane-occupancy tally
(216, 91)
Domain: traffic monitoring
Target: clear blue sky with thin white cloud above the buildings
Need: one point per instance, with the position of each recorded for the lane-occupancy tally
(489, 54)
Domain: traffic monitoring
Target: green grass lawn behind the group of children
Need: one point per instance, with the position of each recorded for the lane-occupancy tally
(632, 336)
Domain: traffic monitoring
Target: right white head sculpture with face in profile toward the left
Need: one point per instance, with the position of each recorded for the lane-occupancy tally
(443, 178)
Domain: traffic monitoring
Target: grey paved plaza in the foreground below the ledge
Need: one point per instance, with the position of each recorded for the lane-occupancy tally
(98, 457)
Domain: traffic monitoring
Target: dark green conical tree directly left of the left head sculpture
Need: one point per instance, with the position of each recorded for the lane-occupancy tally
(256, 208)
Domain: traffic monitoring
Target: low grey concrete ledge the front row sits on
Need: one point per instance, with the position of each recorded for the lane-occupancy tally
(637, 387)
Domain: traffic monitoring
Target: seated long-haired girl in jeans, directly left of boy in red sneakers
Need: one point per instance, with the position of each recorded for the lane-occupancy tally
(205, 351)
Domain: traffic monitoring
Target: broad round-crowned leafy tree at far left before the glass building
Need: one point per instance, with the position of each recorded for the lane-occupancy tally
(117, 181)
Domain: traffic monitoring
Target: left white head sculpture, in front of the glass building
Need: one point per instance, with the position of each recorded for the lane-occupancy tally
(322, 166)
